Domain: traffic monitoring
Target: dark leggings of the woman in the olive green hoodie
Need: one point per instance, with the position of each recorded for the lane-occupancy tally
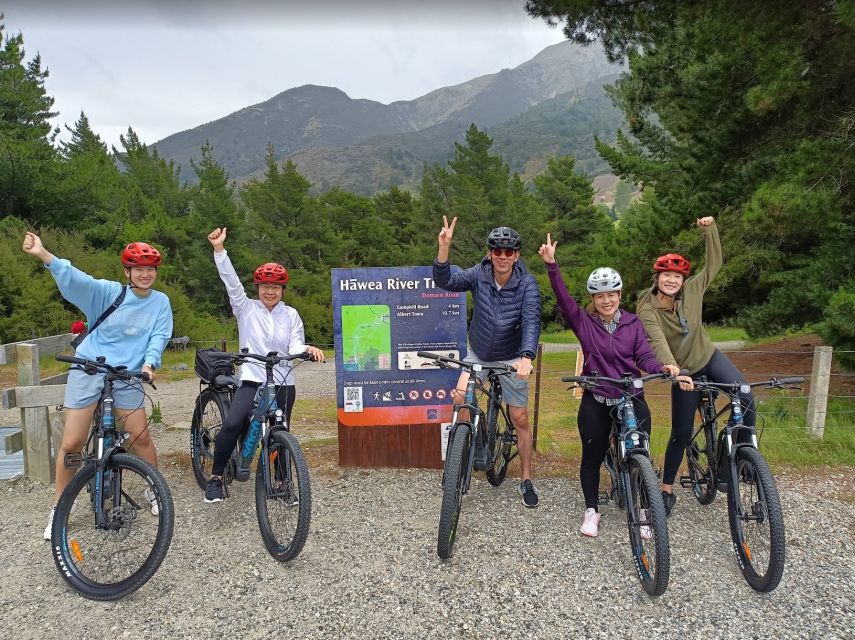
(684, 404)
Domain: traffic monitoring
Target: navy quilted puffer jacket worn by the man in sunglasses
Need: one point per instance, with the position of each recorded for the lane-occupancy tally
(505, 322)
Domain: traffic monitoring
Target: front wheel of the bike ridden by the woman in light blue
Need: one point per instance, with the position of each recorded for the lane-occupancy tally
(109, 562)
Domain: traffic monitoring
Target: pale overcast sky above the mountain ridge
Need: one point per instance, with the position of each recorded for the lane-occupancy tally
(165, 66)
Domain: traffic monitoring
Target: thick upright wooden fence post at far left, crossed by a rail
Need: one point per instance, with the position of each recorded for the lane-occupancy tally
(35, 426)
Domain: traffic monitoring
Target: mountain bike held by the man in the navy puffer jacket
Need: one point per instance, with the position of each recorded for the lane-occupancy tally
(472, 446)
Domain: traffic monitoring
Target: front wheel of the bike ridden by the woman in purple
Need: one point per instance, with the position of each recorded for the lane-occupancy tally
(648, 530)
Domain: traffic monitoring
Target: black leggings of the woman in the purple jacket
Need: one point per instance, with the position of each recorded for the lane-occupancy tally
(595, 426)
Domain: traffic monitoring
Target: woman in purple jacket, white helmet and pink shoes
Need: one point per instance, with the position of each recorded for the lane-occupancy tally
(613, 342)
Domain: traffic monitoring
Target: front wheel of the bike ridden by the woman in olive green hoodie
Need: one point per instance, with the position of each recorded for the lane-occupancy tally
(758, 530)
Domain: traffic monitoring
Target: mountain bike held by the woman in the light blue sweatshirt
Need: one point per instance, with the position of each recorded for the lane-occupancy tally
(106, 540)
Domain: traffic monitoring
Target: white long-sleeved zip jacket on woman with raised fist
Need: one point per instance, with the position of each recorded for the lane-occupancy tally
(259, 330)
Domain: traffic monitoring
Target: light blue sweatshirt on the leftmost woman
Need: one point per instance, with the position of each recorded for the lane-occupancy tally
(133, 335)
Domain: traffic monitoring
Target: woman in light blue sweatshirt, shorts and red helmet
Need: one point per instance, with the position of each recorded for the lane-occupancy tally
(134, 336)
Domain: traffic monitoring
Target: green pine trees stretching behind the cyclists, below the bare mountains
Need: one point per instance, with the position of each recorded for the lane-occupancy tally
(756, 128)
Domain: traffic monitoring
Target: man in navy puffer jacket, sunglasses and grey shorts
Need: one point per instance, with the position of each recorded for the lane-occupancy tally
(505, 325)
